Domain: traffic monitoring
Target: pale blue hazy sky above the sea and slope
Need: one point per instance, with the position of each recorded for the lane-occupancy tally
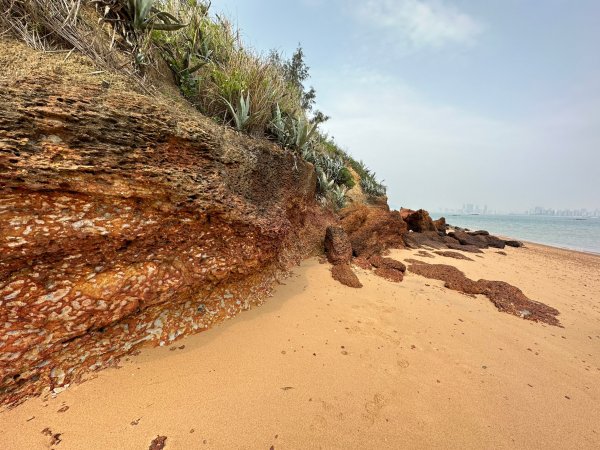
(490, 102)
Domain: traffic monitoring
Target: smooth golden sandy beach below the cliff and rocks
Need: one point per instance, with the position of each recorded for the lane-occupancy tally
(320, 365)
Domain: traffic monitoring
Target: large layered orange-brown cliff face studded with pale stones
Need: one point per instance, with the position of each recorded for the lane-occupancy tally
(124, 220)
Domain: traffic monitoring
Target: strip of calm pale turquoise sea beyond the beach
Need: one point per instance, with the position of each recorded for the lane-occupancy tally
(566, 232)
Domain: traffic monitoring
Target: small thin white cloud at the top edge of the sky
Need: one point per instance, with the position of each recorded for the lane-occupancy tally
(420, 23)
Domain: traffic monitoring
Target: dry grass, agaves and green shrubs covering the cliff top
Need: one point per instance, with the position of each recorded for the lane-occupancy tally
(261, 95)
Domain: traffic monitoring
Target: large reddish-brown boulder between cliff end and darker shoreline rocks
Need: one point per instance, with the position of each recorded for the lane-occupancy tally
(373, 229)
